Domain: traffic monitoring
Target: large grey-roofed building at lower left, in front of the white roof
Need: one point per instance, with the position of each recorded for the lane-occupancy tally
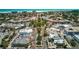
(20, 41)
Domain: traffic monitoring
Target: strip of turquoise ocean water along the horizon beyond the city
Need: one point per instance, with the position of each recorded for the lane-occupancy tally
(30, 10)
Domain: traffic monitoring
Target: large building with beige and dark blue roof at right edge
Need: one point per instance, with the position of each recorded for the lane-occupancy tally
(72, 33)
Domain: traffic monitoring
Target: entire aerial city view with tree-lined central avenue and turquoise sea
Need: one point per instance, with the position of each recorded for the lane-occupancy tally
(39, 28)
